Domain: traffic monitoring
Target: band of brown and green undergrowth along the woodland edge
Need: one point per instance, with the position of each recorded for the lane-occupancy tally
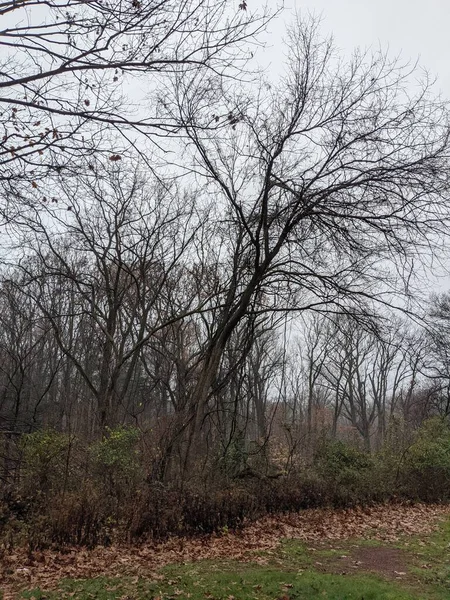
(68, 494)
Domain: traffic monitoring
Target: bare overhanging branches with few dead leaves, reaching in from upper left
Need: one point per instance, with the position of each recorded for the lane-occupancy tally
(67, 69)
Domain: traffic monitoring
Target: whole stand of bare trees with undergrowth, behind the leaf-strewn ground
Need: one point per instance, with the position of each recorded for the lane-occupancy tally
(216, 296)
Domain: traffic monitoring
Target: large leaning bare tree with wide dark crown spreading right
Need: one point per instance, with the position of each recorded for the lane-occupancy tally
(331, 182)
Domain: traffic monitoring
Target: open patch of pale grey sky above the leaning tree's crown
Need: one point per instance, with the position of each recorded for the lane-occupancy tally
(414, 28)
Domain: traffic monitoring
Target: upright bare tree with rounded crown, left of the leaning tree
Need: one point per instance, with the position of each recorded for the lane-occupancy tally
(103, 270)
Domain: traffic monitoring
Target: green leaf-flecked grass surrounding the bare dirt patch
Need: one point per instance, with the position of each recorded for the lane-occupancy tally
(294, 571)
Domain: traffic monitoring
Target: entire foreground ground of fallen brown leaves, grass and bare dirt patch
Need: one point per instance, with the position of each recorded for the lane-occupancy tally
(389, 552)
